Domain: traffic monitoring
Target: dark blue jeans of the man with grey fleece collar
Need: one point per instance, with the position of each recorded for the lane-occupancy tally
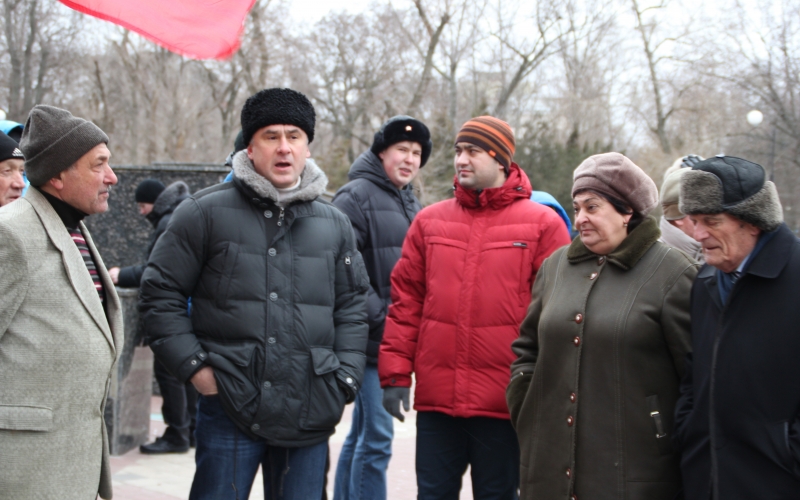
(227, 462)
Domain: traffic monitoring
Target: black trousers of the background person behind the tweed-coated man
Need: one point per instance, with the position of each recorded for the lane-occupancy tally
(179, 407)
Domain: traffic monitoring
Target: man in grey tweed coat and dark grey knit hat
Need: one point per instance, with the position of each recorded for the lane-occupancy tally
(60, 317)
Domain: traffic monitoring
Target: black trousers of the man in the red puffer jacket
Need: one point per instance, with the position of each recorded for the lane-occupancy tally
(446, 445)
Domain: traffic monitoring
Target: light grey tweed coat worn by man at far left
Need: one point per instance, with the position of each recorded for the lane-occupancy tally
(57, 350)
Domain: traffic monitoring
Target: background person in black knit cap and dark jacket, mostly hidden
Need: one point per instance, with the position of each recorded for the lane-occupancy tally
(179, 403)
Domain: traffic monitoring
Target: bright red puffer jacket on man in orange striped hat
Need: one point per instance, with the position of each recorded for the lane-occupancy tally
(459, 293)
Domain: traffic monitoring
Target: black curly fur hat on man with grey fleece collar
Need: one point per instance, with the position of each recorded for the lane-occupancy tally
(277, 106)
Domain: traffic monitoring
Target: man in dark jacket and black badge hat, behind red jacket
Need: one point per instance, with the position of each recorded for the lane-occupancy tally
(380, 202)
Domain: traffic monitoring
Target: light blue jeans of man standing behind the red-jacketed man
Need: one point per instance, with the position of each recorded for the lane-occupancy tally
(361, 472)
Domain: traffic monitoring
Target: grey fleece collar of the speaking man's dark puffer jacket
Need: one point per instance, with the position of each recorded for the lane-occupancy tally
(312, 185)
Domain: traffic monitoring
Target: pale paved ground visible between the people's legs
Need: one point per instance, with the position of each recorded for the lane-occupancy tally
(169, 477)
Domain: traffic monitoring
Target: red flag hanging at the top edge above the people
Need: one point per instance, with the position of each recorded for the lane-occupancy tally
(203, 29)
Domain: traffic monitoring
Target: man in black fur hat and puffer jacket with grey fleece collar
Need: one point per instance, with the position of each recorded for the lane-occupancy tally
(276, 339)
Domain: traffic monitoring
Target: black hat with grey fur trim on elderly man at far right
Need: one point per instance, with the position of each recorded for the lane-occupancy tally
(734, 186)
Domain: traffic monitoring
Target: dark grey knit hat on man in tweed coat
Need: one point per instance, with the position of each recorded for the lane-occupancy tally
(53, 140)
